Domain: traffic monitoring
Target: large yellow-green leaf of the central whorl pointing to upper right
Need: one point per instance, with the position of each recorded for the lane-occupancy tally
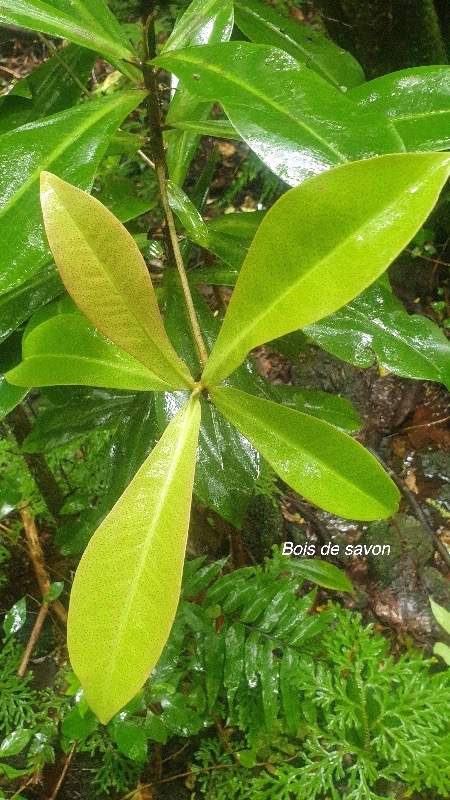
(321, 244)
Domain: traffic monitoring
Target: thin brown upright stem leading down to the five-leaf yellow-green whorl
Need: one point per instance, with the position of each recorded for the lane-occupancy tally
(159, 159)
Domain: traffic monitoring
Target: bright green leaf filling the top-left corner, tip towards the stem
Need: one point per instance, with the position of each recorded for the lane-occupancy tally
(90, 23)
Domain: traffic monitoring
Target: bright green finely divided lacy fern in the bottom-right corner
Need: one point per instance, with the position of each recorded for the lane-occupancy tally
(366, 724)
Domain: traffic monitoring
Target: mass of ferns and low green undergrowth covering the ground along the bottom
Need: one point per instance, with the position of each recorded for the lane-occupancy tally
(286, 700)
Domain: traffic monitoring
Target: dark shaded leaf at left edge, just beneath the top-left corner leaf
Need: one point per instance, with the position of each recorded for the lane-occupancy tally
(51, 87)
